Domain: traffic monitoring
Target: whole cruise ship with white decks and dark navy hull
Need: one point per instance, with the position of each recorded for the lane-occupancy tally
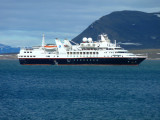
(89, 52)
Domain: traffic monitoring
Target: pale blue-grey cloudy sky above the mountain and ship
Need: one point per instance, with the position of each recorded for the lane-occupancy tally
(22, 22)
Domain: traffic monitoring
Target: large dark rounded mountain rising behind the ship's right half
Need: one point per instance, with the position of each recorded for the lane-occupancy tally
(132, 29)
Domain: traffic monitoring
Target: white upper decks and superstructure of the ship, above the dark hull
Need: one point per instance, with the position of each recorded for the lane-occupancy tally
(88, 48)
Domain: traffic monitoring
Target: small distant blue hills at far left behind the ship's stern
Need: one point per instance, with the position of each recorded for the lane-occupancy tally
(7, 49)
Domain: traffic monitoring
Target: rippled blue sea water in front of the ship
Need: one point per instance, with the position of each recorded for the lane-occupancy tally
(79, 92)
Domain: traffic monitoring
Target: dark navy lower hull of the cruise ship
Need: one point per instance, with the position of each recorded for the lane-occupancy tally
(83, 61)
